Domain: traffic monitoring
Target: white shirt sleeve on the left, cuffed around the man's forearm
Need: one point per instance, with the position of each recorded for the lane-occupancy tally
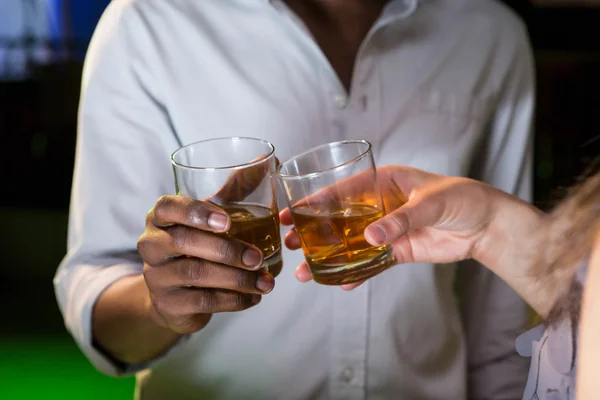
(121, 168)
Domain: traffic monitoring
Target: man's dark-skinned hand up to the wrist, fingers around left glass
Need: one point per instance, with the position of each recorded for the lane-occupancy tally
(191, 272)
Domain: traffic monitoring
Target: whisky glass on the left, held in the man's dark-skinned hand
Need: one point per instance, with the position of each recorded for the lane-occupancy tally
(238, 175)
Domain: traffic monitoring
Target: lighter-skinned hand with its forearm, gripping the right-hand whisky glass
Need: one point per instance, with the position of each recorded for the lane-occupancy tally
(438, 219)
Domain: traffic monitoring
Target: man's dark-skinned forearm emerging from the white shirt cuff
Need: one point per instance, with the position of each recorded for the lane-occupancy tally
(122, 324)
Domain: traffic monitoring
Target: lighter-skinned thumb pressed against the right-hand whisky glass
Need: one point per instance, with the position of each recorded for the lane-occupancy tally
(417, 213)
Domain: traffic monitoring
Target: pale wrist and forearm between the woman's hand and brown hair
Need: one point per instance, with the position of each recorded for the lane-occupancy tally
(510, 246)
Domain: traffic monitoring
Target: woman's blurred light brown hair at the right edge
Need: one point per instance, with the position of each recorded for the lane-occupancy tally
(572, 230)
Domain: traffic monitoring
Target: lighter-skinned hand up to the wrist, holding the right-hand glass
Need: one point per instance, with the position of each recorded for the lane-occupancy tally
(430, 218)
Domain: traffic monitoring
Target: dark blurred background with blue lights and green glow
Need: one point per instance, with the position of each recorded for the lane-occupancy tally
(42, 47)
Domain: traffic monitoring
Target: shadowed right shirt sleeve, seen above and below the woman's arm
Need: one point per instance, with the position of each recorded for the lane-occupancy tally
(493, 314)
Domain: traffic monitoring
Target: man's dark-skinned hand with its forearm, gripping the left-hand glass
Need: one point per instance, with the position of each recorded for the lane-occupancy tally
(191, 270)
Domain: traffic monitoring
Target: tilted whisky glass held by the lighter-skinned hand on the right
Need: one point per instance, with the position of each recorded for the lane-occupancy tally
(333, 195)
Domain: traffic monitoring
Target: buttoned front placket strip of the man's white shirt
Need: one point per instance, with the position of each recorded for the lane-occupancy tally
(352, 115)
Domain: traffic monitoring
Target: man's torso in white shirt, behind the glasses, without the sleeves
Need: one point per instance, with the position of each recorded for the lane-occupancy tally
(422, 91)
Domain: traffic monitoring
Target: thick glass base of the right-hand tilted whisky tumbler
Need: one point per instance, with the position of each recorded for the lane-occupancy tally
(335, 275)
